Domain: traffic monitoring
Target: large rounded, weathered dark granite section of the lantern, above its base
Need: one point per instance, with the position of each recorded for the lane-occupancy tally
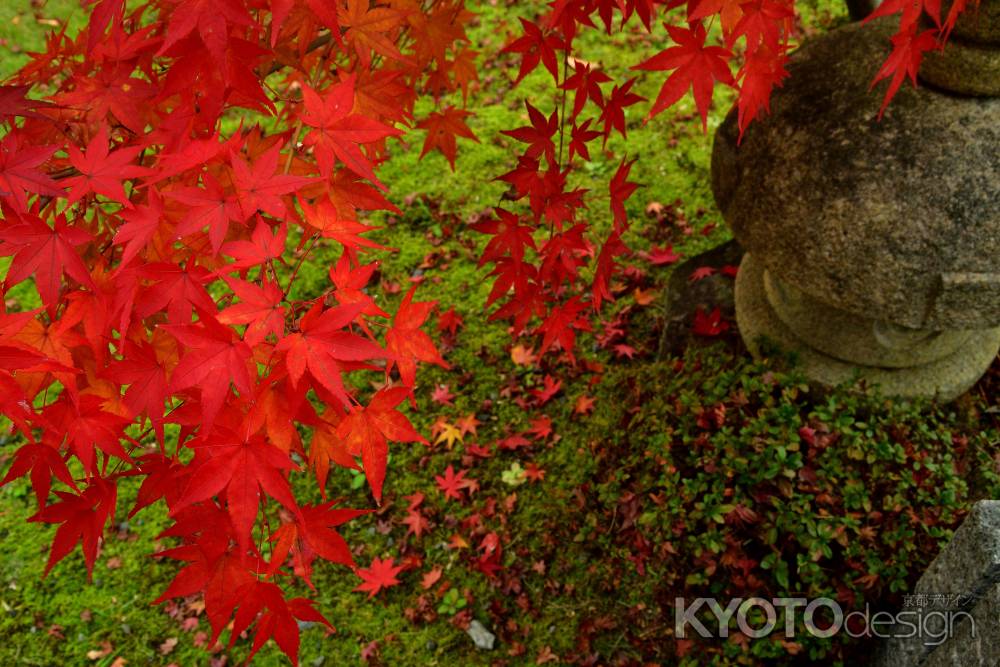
(874, 217)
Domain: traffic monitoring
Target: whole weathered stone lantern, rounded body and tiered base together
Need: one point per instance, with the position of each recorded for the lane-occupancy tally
(873, 246)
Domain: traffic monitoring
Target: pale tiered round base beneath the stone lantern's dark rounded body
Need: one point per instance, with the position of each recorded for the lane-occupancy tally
(833, 346)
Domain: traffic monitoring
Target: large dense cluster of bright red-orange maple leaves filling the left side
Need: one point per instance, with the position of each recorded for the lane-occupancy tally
(164, 236)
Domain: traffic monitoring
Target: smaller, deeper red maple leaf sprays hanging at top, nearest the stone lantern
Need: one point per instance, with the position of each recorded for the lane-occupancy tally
(548, 286)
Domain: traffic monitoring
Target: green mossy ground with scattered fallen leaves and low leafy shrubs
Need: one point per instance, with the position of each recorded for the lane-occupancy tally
(706, 475)
